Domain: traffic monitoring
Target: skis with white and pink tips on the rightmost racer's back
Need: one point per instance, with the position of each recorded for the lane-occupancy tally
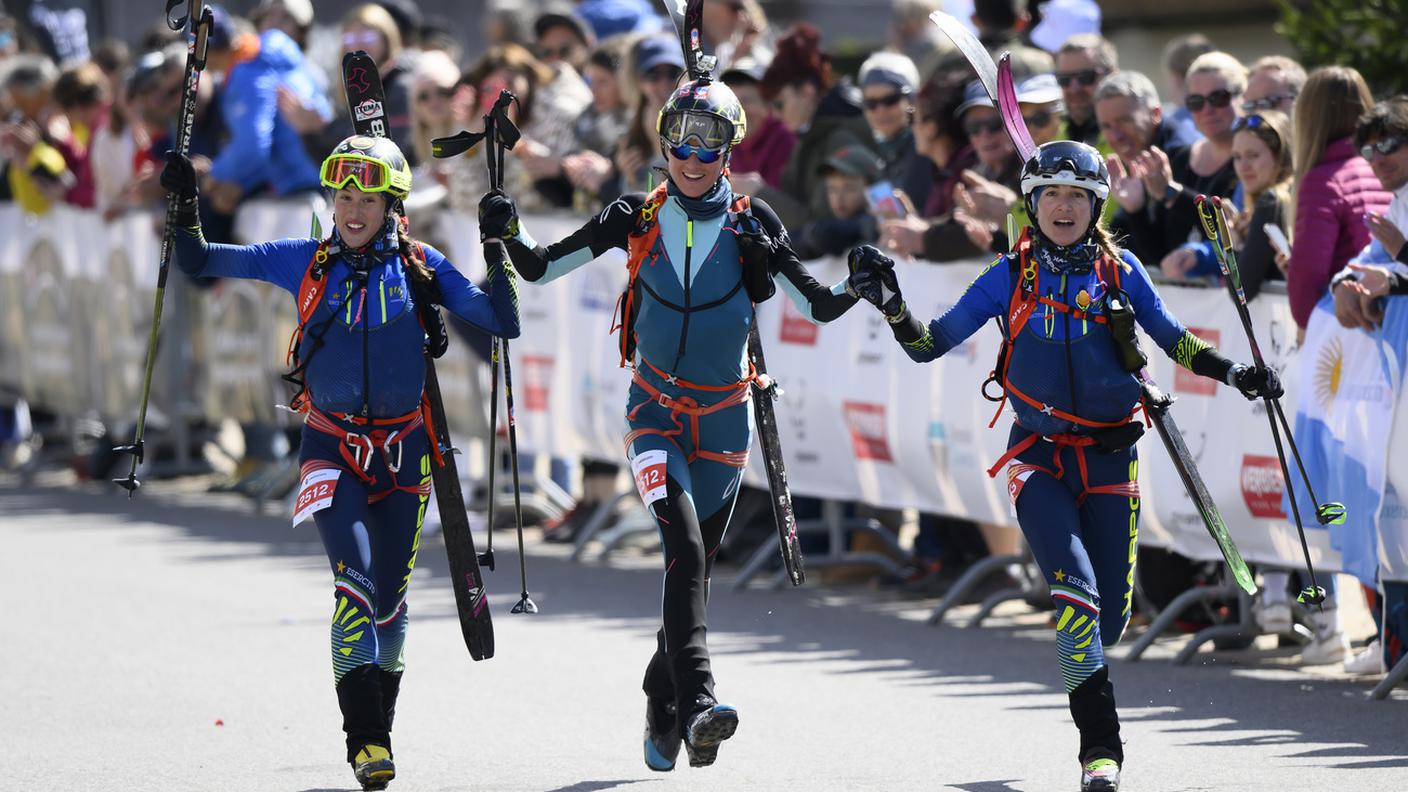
(998, 82)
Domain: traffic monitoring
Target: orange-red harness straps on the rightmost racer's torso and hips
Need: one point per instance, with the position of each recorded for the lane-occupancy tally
(1026, 298)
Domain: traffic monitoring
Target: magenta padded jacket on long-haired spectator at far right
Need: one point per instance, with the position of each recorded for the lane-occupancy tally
(1330, 223)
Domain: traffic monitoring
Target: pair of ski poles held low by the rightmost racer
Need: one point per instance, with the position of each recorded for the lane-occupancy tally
(1214, 226)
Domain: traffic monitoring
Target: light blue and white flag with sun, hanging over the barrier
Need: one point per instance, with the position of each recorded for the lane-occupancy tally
(1344, 419)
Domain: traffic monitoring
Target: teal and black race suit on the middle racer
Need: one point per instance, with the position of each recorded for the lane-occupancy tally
(688, 416)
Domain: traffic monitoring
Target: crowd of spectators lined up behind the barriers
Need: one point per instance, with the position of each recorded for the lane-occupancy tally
(909, 153)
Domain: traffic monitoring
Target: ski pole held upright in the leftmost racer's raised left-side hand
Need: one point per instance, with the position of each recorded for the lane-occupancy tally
(201, 22)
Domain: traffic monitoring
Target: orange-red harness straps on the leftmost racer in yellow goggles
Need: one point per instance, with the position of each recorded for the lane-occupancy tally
(358, 449)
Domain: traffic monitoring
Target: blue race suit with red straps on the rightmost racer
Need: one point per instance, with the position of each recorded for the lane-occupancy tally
(1072, 467)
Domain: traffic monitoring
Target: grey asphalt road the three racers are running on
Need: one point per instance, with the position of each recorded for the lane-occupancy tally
(178, 642)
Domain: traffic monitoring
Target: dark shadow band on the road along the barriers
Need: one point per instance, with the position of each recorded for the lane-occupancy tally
(1224, 700)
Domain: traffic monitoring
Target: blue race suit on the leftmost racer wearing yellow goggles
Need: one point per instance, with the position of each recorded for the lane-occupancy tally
(365, 456)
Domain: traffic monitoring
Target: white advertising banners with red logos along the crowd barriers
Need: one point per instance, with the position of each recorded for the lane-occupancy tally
(858, 419)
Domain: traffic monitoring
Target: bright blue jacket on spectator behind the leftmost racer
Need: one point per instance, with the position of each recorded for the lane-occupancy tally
(264, 149)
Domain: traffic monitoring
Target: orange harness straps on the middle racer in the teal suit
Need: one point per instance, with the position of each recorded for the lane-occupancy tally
(640, 247)
